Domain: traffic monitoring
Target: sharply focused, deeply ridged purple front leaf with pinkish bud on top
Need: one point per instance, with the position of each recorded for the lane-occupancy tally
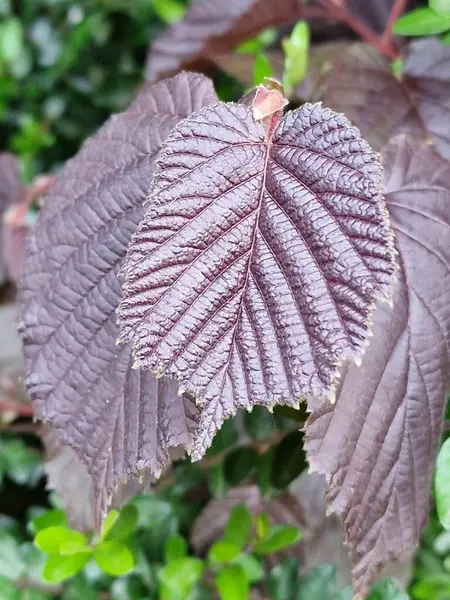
(254, 272)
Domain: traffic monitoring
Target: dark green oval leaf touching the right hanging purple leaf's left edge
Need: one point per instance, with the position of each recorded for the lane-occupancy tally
(289, 460)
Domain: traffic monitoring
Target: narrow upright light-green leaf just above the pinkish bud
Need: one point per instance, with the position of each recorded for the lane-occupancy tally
(296, 50)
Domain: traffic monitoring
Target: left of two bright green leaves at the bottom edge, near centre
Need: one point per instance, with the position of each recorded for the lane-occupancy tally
(179, 577)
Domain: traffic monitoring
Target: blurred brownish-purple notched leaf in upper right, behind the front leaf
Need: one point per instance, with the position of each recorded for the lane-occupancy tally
(362, 85)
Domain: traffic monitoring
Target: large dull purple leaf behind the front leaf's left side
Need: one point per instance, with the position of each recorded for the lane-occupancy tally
(118, 421)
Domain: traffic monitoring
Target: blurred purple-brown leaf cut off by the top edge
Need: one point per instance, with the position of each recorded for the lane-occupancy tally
(213, 26)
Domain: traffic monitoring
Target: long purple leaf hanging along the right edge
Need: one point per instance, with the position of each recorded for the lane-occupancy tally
(377, 446)
